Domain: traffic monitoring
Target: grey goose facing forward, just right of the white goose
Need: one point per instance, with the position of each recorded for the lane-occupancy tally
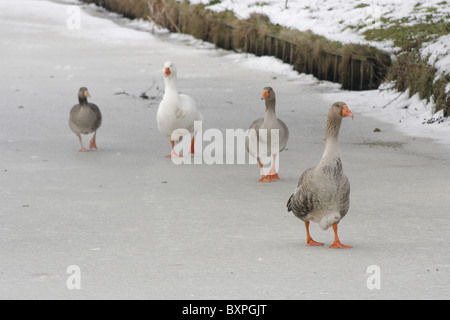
(259, 145)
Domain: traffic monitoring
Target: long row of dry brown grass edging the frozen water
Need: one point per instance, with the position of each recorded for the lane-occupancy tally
(355, 67)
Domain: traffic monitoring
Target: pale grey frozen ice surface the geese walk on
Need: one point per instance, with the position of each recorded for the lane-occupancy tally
(139, 226)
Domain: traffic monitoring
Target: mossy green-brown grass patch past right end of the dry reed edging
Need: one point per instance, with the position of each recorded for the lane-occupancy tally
(412, 70)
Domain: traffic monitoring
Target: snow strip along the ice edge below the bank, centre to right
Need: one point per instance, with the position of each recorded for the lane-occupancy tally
(410, 115)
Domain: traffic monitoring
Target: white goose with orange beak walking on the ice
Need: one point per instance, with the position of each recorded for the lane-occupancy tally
(176, 111)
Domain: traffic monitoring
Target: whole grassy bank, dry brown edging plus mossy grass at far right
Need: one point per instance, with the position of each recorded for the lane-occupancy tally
(355, 67)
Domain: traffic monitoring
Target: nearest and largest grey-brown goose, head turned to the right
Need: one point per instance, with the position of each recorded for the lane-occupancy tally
(323, 193)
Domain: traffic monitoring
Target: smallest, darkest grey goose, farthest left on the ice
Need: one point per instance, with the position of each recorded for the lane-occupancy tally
(85, 118)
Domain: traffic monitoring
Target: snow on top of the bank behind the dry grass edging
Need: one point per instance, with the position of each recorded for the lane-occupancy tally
(346, 21)
